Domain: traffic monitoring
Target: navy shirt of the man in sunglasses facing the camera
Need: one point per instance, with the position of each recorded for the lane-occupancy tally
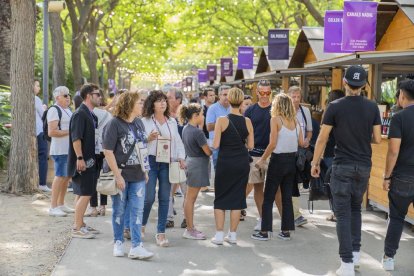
(260, 118)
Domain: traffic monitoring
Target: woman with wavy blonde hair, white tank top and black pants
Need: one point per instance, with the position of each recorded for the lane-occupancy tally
(285, 137)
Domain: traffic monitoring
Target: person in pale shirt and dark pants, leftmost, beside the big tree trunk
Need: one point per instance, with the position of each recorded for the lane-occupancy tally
(41, 140)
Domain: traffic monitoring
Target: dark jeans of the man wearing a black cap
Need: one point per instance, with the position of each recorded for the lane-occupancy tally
(348, 185)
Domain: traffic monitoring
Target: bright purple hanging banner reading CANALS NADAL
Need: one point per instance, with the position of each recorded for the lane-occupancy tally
(359, 26)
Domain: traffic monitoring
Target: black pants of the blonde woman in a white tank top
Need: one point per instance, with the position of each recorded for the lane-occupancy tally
(281, 172)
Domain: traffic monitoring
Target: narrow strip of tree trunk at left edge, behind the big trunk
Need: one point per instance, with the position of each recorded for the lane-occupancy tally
(5, 37)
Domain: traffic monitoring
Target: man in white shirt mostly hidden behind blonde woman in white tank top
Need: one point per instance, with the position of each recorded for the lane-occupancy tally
(304, 118)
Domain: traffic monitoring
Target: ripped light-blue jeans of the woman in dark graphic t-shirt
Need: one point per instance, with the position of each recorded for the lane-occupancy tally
(134, 196)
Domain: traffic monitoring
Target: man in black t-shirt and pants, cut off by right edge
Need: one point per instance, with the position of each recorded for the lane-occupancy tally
(399, 171)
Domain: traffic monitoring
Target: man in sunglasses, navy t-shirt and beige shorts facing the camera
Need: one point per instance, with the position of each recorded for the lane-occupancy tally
(259, 114)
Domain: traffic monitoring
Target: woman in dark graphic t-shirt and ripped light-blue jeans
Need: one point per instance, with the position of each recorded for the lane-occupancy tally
(121, 137)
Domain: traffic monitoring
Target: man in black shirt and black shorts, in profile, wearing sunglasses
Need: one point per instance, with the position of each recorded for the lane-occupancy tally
(82, 163)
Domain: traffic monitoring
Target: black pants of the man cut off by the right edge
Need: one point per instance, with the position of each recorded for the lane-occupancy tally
(400, 196)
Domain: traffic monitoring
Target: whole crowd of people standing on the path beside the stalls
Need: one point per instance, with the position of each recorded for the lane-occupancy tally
(250, 147)
